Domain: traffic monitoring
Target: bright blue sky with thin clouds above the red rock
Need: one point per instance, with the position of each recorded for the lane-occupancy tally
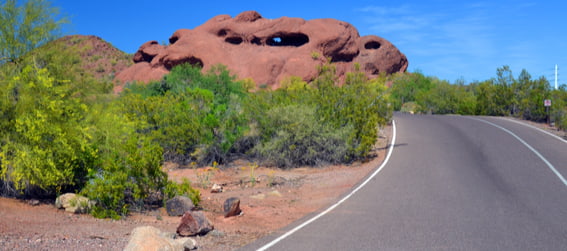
(446, 39)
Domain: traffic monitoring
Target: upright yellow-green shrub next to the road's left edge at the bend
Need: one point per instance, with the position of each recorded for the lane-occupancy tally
(345, 106)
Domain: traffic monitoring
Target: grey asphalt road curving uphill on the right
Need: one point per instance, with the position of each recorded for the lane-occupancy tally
(451, 183)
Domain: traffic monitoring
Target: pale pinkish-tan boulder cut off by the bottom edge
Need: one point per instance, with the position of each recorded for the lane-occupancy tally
(151, 238)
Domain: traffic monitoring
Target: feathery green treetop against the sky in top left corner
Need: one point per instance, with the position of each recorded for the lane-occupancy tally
(26, 26)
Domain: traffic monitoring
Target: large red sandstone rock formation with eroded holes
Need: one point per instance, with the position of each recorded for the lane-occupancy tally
(267, 50)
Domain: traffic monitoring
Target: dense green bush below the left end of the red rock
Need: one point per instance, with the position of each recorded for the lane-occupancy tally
(193, 116)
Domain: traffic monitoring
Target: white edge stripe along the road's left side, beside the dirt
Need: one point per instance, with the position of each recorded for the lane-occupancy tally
(265, 247)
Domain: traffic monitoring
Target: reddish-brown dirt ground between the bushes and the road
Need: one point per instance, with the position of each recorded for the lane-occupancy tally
(270, 199)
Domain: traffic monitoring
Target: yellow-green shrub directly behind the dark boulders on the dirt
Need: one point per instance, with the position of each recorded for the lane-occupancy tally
(127, 170)
